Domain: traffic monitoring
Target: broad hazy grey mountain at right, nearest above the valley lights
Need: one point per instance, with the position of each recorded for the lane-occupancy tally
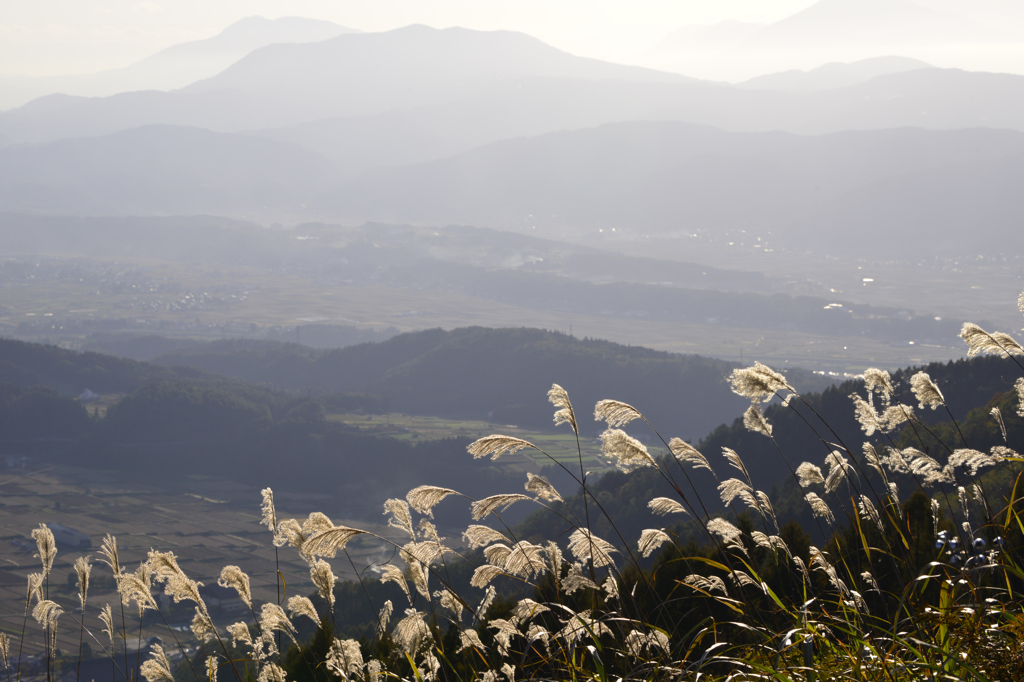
(661, 178)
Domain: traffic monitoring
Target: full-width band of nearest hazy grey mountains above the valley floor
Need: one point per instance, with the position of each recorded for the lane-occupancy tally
(828, 193)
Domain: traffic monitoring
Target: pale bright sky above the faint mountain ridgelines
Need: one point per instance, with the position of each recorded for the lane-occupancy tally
(53, 37)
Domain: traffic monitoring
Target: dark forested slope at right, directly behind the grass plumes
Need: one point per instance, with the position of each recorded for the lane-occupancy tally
(970, 387)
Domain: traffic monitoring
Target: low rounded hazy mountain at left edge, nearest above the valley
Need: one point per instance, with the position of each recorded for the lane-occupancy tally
(160, 169)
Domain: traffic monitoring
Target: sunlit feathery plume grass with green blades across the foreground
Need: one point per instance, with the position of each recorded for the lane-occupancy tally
(913, 587)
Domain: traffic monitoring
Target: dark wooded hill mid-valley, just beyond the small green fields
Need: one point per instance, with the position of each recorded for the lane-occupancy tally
(500, 375)
